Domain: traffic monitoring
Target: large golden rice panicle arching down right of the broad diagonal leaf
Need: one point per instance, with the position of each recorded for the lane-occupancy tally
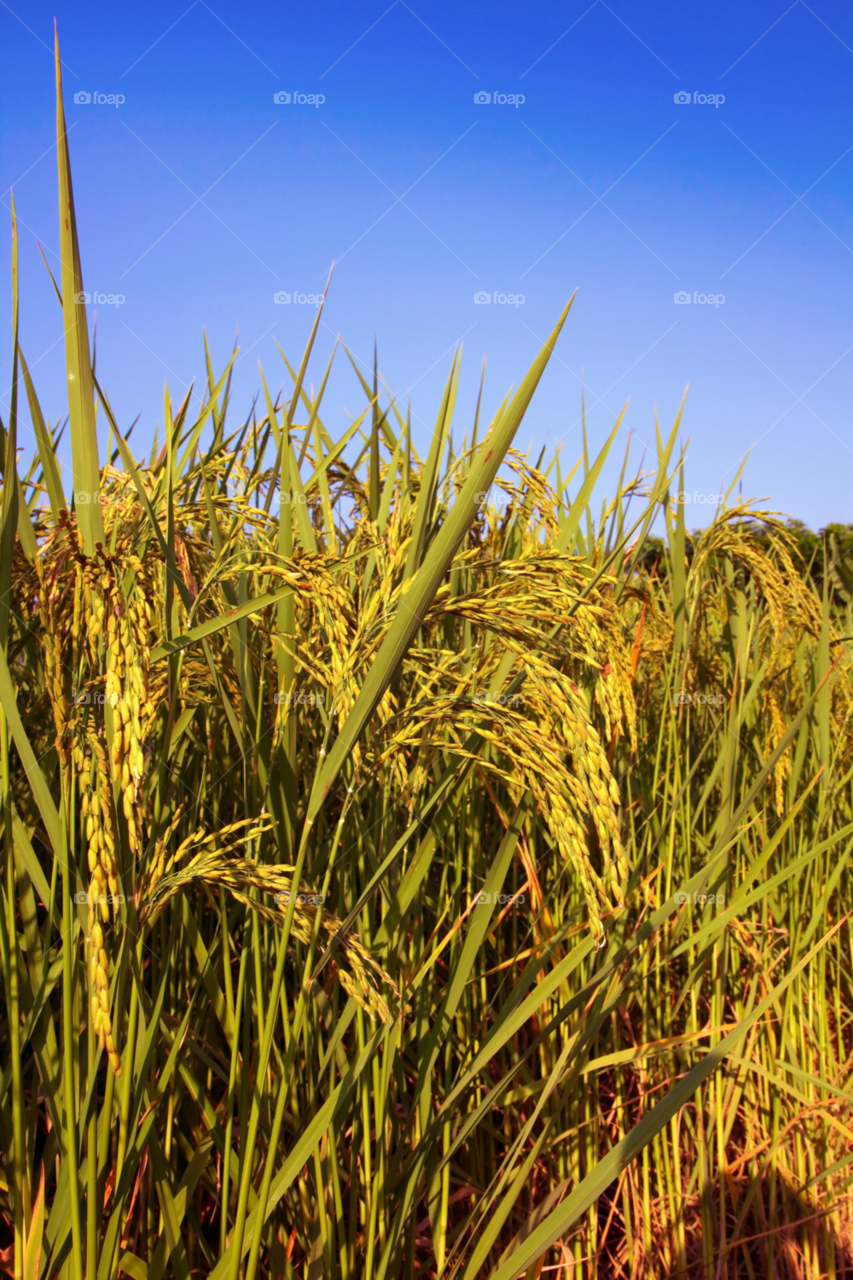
(544, 738)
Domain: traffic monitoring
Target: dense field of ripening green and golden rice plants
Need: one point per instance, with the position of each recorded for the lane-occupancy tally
(412, 870)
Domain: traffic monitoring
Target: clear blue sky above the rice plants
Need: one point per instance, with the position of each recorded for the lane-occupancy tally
(200, 199)
